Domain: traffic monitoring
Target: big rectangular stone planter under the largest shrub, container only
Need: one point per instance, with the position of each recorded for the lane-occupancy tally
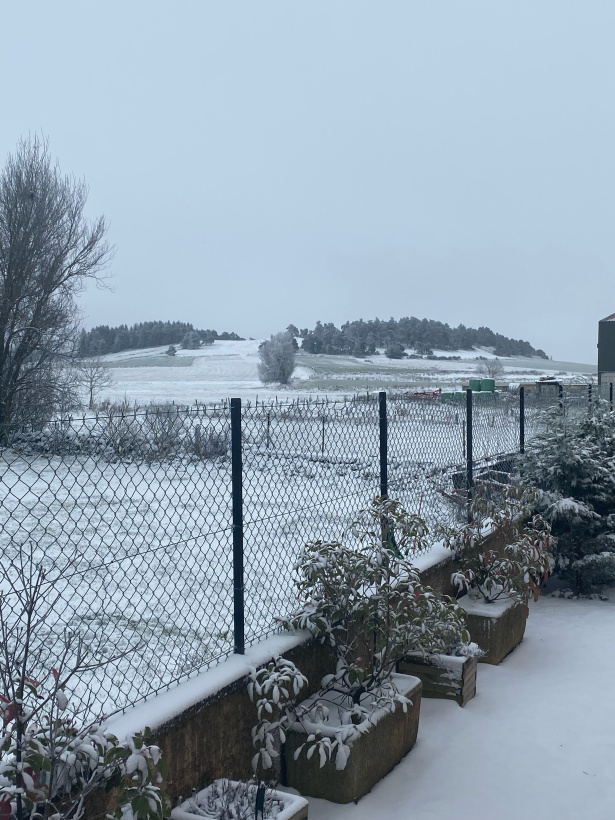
(372, 756)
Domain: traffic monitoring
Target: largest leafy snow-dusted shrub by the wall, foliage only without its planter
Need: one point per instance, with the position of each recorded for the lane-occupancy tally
(365, 598)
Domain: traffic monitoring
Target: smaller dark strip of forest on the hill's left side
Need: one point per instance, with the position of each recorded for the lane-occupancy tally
(104, 339)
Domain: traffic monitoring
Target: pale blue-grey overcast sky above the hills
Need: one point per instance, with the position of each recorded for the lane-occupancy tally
(262, 163)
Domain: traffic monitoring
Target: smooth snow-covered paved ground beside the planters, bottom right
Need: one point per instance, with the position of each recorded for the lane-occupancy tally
(537, 741)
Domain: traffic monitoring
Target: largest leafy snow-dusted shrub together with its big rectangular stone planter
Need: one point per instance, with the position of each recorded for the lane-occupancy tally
(364, 597)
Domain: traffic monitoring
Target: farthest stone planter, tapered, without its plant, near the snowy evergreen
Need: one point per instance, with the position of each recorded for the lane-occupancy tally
(497, 627)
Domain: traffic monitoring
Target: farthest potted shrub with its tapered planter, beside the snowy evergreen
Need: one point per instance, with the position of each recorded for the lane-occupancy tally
(505, 552)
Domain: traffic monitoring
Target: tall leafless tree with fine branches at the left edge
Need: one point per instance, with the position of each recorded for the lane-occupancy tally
(48, 252)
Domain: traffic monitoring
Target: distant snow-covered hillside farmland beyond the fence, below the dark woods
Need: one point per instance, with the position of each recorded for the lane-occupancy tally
(227, 369)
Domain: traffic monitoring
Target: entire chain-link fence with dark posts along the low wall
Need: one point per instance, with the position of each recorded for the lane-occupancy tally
(168, 528)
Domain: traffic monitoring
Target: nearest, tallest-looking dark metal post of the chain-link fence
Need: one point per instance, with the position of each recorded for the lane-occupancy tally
(237, 495)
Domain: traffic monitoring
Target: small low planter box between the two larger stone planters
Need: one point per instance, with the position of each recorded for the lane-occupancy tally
(443, 676)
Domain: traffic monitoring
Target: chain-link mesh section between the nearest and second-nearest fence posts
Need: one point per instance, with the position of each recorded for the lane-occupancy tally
(308, 467)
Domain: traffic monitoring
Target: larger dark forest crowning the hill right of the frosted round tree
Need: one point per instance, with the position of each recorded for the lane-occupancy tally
(361, 338)
